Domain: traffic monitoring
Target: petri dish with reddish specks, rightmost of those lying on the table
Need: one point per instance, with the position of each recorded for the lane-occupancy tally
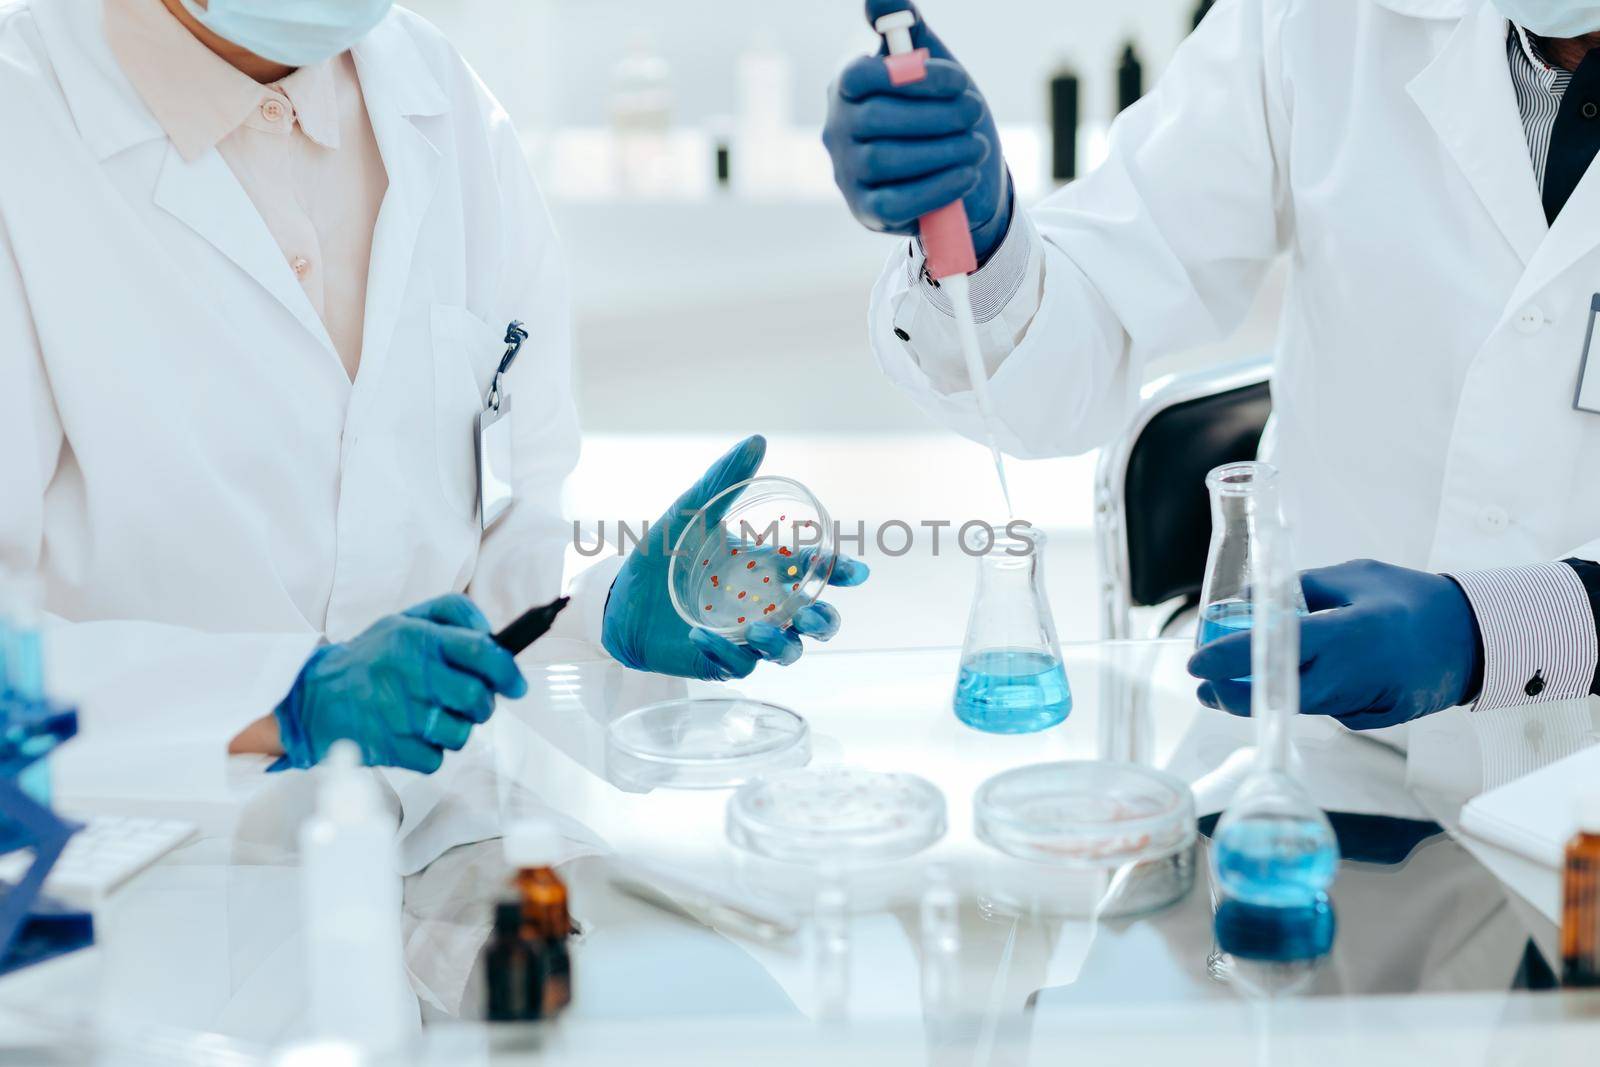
(1086, 813)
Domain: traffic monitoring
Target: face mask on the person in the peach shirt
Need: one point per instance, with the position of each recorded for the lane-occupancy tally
(294, 33)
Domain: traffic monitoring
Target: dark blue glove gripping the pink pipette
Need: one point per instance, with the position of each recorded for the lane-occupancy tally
(903, 153)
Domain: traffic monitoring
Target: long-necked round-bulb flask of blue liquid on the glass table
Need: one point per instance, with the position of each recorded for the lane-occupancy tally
(1274, 853)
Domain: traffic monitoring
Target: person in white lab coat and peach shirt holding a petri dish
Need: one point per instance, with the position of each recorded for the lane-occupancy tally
(257, 268)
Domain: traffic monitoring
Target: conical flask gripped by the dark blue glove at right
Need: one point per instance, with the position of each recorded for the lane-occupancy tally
(1241, 497)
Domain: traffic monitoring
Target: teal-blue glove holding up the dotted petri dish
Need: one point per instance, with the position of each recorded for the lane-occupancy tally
(644, 631)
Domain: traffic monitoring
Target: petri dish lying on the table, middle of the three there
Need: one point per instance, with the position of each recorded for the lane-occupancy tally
(836, 815)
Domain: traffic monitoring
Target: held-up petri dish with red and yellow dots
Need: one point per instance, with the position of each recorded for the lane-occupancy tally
(769, 557)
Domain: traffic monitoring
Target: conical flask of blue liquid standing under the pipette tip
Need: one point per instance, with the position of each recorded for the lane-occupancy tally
(1012, 679)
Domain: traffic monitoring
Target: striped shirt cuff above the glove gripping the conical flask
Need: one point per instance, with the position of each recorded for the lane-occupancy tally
(1538, 634)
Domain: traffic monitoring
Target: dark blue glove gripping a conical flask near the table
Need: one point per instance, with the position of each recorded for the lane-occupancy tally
(1383, 645)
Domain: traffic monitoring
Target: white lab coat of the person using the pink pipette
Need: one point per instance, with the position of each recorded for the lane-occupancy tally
(1434, 324)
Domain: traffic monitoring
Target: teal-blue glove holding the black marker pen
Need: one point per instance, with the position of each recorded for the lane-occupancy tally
(404, 692)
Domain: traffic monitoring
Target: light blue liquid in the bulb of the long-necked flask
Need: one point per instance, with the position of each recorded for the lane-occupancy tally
(1276, 861)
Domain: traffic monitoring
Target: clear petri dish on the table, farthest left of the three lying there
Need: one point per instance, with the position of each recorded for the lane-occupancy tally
(705, 743)
